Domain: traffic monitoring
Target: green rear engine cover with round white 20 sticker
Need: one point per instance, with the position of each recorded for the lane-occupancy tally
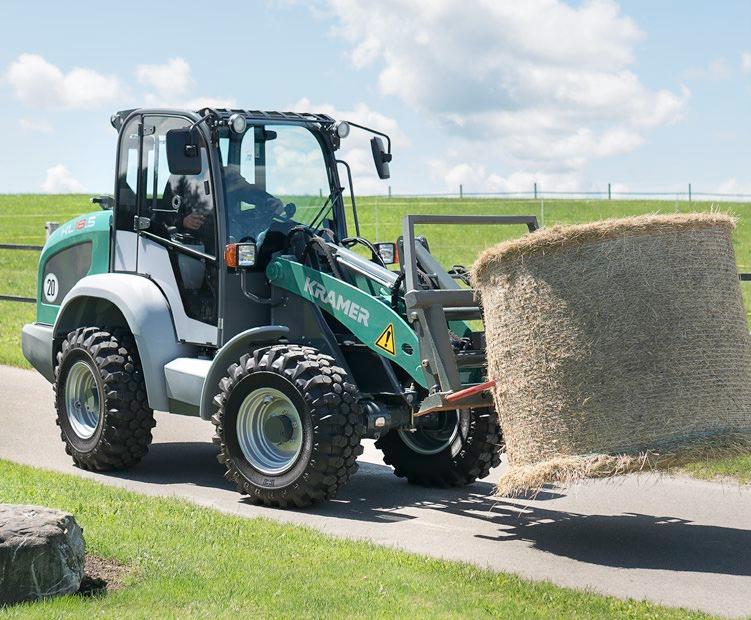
(78, 248)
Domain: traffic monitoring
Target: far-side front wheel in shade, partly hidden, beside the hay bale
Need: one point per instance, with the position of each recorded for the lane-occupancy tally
(464, 447)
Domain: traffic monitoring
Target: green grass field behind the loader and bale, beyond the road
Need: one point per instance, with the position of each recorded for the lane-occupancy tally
(22, 219)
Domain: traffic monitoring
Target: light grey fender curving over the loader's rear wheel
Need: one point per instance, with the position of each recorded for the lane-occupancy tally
(147, 314)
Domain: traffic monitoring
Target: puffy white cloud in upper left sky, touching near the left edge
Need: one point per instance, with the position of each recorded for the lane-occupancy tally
(38, 83)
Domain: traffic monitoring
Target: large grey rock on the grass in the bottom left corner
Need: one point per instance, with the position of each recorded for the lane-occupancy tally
(41, 553)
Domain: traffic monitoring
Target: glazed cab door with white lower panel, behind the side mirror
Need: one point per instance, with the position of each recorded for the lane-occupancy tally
(174, 226)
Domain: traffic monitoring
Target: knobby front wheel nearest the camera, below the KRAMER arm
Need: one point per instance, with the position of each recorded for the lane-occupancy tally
(288, 426)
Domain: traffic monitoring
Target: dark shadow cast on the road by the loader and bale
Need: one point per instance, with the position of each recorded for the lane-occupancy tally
(375, 495)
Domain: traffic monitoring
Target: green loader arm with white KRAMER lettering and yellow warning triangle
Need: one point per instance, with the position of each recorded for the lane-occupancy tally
(371, 320)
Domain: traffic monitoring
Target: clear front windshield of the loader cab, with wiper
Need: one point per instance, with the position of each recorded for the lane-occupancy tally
(274, 176)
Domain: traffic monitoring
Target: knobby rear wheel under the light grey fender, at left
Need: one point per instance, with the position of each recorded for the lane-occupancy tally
(100, 397)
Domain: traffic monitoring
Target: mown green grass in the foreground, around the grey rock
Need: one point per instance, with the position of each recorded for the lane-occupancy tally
(187, 562)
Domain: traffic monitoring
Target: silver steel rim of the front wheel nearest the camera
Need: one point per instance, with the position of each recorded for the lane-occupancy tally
(269, 431)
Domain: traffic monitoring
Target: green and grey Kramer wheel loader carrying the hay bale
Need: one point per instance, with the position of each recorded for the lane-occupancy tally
(221, 281)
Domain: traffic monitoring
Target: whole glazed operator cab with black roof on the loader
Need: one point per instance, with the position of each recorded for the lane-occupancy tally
(252, 180)
